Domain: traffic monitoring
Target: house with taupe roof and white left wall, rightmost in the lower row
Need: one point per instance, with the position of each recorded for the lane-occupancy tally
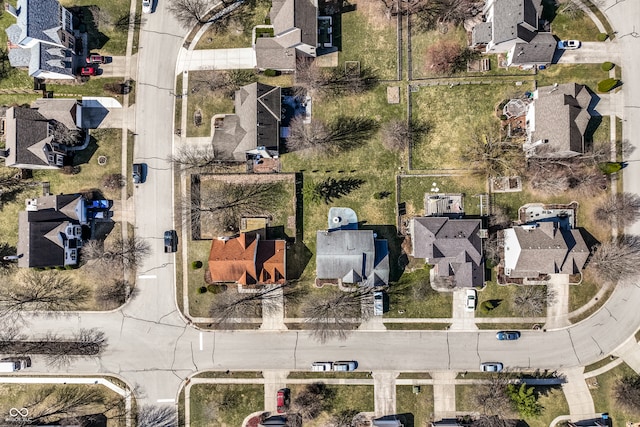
(541, 248)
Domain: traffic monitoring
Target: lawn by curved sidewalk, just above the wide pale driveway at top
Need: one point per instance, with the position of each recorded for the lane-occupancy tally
(237, 33)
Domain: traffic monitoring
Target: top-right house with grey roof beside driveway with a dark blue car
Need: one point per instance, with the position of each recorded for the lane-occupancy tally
(515, 27)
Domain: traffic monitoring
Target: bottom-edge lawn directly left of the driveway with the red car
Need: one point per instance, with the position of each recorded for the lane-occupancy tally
(224, 405)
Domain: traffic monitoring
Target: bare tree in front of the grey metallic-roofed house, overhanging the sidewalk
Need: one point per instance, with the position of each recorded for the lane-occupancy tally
(333, 315)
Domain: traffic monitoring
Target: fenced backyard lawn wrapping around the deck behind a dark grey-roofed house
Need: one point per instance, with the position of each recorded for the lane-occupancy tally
(413, 189)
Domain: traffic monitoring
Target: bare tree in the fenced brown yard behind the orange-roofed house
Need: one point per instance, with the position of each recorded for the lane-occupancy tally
(225, 203)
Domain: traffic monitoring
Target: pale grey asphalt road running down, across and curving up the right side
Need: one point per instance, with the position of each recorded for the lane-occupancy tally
(150, 345)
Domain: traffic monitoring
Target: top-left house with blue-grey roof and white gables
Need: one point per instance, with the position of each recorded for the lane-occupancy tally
(42, 39)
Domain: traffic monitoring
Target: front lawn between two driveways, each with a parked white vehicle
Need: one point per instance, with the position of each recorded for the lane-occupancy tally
(413, 296)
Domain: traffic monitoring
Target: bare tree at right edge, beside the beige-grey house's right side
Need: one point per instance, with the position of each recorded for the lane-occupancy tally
(617, 259)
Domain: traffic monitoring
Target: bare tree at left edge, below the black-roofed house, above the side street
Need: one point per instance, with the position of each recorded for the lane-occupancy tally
(41, 291)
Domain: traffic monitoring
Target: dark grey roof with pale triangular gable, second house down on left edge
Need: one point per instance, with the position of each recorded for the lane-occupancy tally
(27, 135)
